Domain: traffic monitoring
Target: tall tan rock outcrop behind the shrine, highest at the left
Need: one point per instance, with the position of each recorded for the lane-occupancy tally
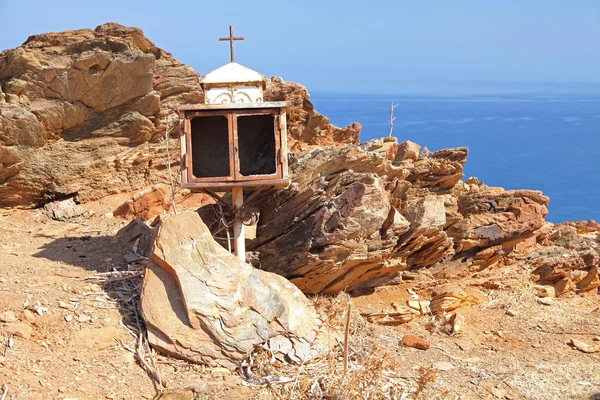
(83, 112)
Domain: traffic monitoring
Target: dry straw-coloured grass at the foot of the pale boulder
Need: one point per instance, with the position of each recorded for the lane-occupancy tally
(373, 371)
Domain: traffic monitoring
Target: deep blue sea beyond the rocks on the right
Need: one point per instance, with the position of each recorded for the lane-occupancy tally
(517, 141)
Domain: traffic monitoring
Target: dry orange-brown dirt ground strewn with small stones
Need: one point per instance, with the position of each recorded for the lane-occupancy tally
(65, 336)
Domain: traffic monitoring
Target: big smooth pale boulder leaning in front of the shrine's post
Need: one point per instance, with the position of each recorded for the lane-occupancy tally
(203, 304)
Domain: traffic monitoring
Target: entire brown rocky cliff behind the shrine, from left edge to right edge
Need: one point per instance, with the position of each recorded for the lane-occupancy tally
(85, 113)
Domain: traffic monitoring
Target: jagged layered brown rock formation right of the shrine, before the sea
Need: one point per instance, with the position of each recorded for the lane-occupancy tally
(361, 215)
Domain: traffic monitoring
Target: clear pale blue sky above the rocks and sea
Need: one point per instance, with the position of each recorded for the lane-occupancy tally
(351, 45)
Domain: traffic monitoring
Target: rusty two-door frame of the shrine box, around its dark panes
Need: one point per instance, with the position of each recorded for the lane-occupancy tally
(235, 178)
